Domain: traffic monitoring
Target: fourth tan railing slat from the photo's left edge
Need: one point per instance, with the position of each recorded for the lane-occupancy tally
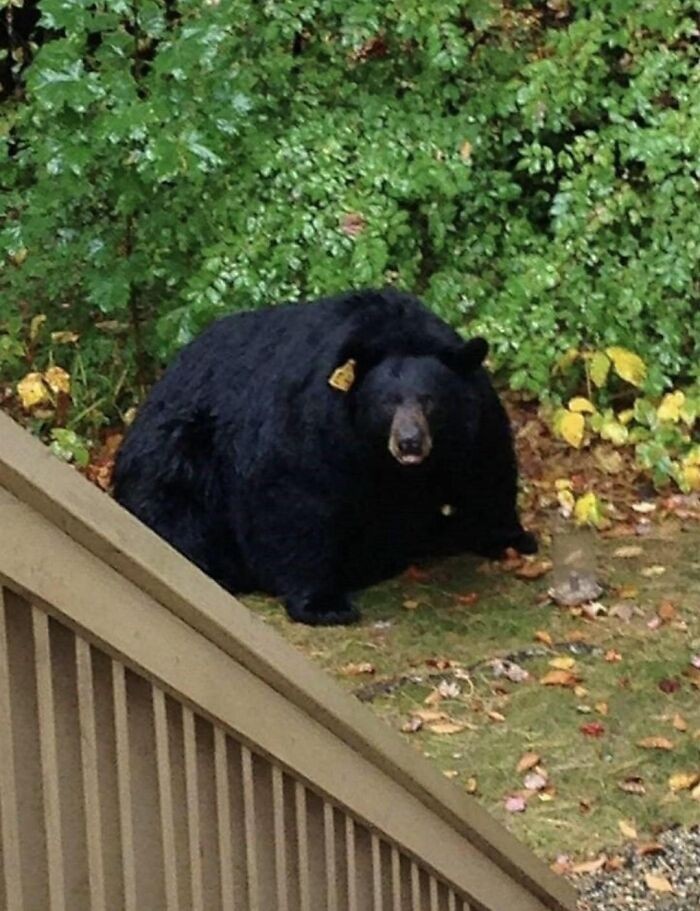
(126, 817)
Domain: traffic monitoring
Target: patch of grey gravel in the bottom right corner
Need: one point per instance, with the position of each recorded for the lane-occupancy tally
(626, 889)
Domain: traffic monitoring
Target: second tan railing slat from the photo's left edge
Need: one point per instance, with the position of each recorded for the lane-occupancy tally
(49, 760)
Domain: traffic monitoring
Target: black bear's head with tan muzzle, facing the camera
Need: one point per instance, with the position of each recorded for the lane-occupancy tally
(404, 403)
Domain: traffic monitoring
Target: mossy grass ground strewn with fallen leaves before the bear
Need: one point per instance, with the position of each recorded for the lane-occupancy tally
(404, 646)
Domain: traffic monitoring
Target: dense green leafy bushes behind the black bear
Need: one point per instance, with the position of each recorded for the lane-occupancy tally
(530, 168)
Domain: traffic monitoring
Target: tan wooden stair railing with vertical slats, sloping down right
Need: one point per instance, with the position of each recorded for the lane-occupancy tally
(161, 749)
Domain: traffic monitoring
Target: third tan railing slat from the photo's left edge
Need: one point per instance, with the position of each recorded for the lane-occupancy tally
(91, 784)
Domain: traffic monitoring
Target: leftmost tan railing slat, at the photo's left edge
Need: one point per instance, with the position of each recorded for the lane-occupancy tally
(9, 819)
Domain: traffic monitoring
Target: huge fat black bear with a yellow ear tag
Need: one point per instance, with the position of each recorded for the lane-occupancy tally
(309, 450)
